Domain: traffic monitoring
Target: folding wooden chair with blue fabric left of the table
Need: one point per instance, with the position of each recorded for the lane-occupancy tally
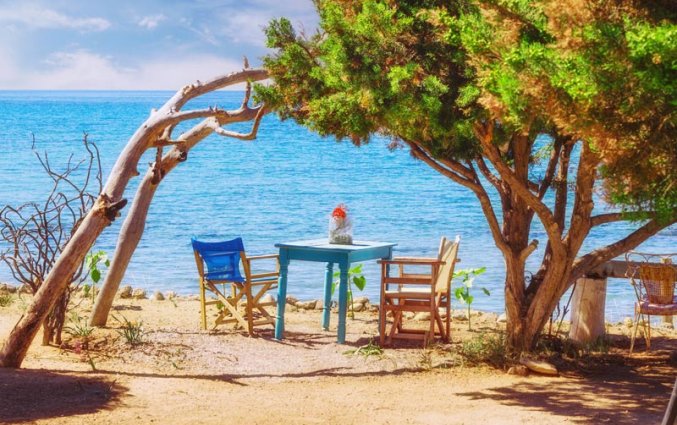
(222, 272)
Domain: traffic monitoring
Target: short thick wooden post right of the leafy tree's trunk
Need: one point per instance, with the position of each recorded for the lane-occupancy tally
(587, 313)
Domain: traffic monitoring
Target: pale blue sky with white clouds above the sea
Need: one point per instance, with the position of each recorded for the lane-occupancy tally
(134, 45)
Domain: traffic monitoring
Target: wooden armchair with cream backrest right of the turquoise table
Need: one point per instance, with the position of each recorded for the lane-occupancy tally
(418, 292)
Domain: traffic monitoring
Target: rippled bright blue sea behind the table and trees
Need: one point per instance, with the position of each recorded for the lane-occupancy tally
(280, 187)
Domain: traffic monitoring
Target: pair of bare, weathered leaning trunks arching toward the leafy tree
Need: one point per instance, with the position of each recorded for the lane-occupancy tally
(157, 132)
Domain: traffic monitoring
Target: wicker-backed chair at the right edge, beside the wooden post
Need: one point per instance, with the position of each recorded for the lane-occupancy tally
(655, 296)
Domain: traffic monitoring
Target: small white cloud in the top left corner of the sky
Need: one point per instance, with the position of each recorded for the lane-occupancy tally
(34, 16)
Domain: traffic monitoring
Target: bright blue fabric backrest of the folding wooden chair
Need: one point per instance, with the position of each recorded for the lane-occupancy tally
(222, 259)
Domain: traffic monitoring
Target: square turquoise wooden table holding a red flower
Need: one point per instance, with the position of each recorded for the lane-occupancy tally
(322, 251)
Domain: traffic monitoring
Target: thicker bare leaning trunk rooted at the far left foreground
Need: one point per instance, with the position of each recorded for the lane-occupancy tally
(156, 132)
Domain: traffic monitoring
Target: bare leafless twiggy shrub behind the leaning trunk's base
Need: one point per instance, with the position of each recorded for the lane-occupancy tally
(36, 232)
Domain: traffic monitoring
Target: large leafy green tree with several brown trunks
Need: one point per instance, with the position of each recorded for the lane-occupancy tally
(470, 86)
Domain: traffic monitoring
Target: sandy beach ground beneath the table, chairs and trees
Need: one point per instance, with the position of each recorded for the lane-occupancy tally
(181, 374)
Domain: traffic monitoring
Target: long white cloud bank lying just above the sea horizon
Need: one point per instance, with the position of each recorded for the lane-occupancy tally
(84, 70)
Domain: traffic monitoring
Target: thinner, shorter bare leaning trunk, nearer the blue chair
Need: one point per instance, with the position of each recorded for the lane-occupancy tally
(135, 221)
